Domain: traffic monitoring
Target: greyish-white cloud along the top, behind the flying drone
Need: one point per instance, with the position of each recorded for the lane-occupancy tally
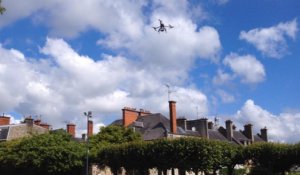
(127, 27)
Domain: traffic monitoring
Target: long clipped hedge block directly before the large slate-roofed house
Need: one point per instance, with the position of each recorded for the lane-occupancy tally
(188, 154)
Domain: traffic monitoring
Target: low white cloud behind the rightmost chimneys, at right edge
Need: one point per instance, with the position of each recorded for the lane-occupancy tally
(284, 127)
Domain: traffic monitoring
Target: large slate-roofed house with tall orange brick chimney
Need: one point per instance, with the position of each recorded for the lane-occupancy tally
(155, 126)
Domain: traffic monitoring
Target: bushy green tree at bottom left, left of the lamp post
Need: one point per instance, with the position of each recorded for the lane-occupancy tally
(51, 153)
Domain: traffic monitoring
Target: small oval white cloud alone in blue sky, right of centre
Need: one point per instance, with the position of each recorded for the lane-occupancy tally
(247, 67)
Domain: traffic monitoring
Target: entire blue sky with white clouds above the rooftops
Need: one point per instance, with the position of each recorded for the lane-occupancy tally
(230, 59)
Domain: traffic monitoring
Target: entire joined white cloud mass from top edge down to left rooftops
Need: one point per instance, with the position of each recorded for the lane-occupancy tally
(66, 83)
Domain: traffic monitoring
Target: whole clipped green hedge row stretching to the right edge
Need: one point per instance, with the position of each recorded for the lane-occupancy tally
(194, 154)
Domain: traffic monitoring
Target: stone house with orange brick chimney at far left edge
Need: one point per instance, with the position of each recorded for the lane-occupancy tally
(28, 127)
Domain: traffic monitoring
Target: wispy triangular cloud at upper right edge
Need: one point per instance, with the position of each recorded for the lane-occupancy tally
(272, 41)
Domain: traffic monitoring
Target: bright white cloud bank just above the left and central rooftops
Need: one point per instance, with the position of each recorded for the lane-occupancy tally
(63, 85)
